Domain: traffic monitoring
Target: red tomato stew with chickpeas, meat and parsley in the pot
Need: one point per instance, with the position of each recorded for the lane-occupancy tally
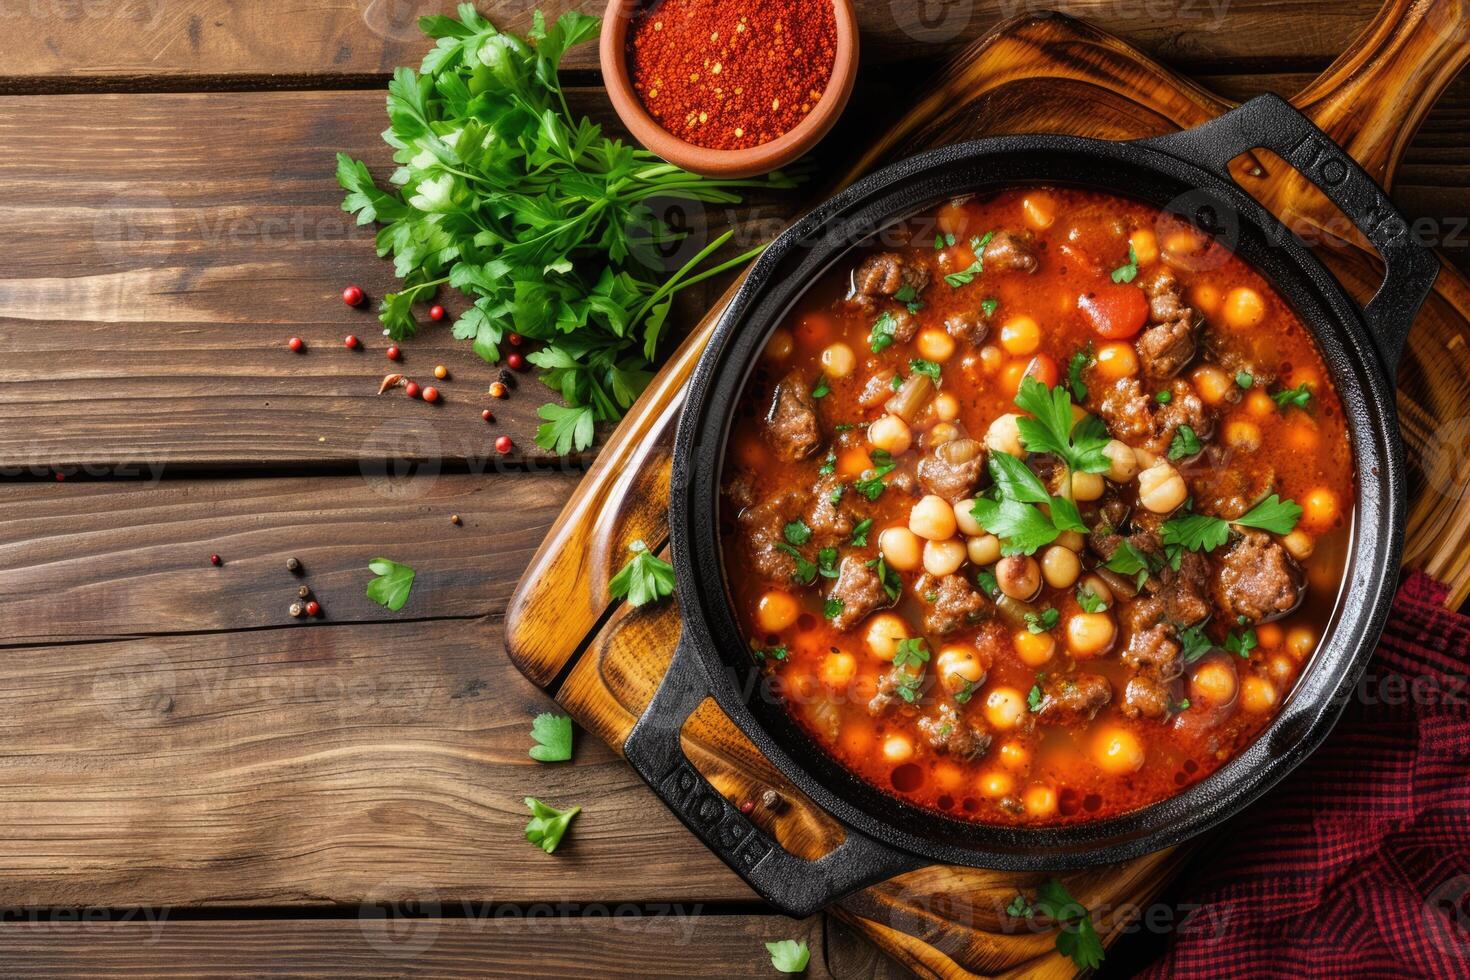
(1036, 514)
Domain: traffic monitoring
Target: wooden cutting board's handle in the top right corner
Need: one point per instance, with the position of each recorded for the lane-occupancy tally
(1374, 98)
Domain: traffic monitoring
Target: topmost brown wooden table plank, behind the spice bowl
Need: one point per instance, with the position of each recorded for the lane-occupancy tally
(196, 43)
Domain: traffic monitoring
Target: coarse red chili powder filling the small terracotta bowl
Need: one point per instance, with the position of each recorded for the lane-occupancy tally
(730, 76)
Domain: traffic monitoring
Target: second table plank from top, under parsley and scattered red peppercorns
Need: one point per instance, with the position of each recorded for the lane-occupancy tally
(149, 323)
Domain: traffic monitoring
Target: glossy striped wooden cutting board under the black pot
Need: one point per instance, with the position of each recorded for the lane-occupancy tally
(1039, 74)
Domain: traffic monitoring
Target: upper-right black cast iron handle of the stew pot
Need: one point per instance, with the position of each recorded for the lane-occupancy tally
(1272, 123)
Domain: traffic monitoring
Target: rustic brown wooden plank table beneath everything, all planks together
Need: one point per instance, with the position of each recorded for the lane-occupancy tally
(190, 779)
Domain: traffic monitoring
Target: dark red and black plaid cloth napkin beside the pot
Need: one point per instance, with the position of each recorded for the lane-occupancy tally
(1359, 865)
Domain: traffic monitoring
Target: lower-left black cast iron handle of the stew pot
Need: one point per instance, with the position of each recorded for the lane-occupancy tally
(797, 887)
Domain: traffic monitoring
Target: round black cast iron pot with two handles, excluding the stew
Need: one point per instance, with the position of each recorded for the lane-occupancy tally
(1184, 174)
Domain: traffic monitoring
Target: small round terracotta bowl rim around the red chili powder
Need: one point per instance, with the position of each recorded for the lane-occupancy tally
(730, 164)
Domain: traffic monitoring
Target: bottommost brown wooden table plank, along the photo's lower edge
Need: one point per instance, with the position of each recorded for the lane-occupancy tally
(489, 943)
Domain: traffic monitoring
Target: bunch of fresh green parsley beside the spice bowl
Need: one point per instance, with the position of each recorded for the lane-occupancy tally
(533, 214)
